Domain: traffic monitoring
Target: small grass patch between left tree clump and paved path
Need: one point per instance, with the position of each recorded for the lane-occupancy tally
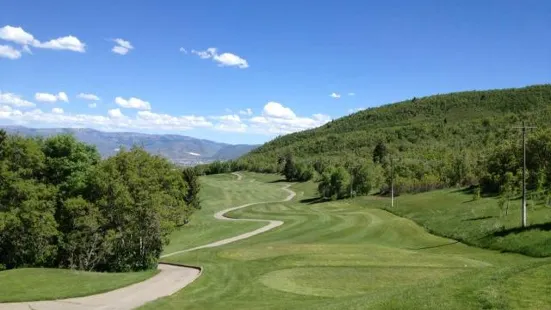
(29, 284)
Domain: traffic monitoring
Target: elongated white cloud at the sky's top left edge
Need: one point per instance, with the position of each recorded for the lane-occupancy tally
(19, 36)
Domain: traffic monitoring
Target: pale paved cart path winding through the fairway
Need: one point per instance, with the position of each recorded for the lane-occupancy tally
(168, 281)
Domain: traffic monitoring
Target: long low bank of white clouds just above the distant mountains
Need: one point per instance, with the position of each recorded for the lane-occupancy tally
(275, 118)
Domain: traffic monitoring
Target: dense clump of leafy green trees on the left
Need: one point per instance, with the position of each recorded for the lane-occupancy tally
(61, 205)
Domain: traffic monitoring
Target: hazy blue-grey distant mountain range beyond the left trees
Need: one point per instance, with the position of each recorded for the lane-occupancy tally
(182, 150)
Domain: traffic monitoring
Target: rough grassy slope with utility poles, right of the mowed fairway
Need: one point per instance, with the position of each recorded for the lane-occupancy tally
(452, 213)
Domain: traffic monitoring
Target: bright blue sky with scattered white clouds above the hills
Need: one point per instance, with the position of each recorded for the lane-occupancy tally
(281, 59)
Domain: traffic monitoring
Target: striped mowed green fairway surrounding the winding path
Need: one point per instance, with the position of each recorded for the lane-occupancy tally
(340, 255)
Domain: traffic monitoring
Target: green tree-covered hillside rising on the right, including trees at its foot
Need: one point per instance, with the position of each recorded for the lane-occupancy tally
(433, 142)
